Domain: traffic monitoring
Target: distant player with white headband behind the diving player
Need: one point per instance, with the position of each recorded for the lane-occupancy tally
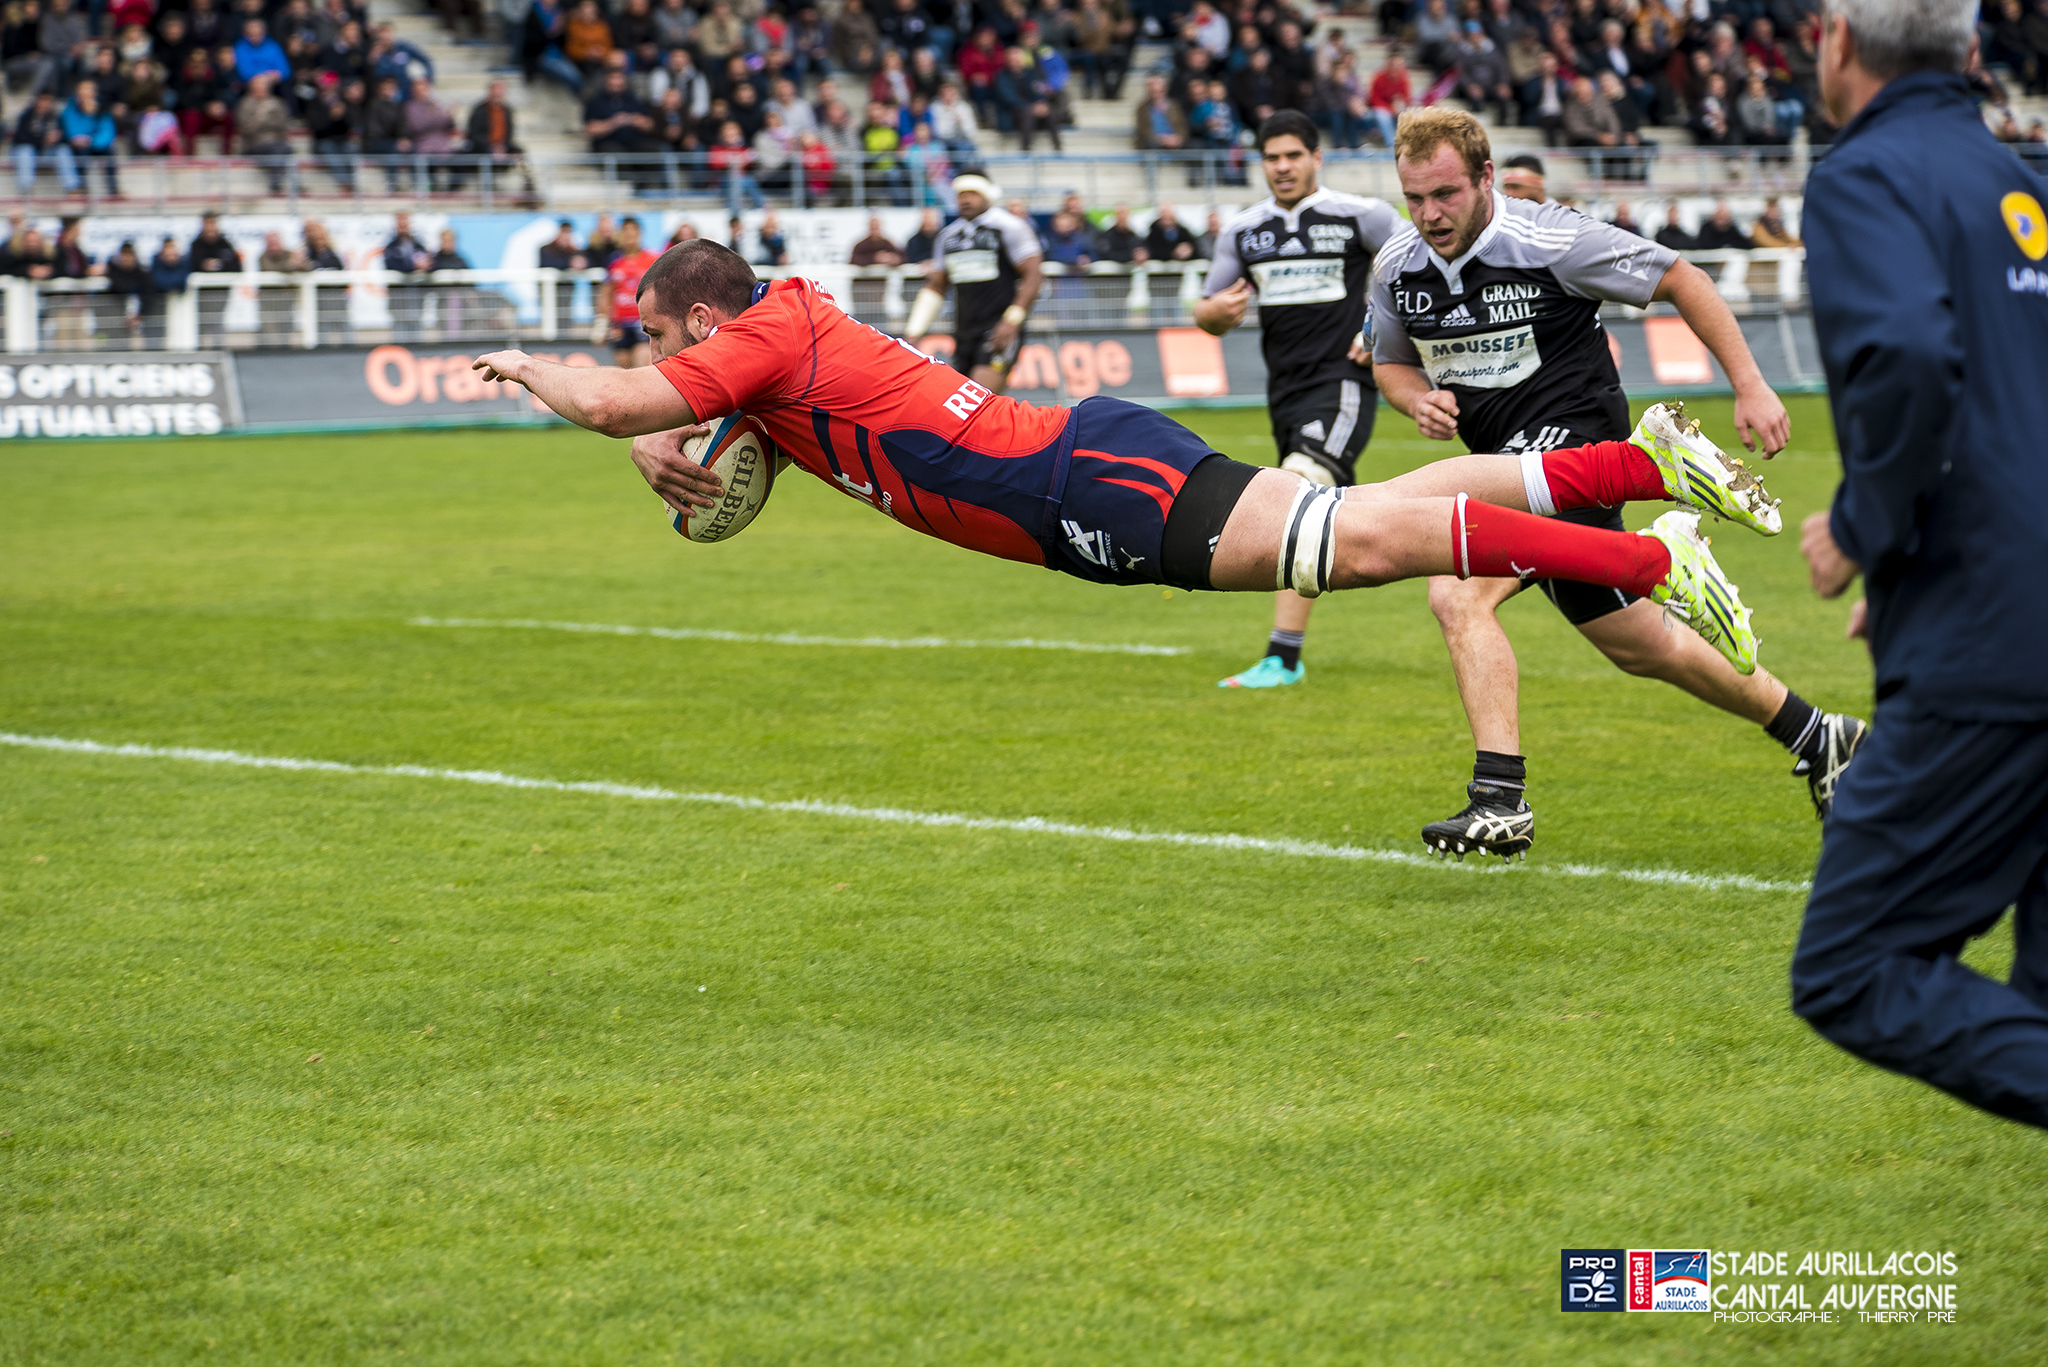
(996, 267)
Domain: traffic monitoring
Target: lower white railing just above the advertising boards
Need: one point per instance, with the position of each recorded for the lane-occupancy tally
(357, 308)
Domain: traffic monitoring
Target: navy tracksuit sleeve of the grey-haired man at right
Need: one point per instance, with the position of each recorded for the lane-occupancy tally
(1893, 356)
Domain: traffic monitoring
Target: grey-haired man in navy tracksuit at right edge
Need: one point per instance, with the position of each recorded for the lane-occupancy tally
(1926, 247)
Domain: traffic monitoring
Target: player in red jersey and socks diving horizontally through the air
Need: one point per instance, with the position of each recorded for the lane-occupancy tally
(1109, 491)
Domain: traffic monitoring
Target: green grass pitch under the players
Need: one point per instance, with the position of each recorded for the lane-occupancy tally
(312, 1067)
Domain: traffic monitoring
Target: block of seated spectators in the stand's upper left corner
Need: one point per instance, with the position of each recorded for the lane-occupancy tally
(155, 77)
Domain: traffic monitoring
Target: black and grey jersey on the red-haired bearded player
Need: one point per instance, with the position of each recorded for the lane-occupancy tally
(1512, 327)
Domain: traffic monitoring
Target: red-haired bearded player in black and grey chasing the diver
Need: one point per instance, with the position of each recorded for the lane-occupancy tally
(1486, 325)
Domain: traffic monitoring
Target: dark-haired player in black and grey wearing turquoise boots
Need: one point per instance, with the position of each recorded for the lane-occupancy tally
(1306, 253)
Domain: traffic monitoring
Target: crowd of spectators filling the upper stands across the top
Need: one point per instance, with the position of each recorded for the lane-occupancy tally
(802, 99)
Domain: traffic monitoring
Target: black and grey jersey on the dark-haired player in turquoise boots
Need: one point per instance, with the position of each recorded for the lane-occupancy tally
(1312, 267)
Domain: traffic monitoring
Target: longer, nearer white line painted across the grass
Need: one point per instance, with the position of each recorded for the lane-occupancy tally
(902, 817)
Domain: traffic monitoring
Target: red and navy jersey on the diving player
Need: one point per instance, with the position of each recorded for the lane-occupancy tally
(884, 423)
